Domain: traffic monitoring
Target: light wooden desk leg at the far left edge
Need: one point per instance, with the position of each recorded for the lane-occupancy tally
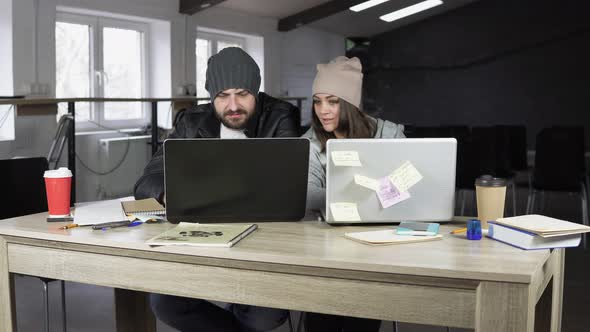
(7, 308)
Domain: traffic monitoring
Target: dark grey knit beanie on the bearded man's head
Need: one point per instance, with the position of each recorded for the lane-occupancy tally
(232, 68)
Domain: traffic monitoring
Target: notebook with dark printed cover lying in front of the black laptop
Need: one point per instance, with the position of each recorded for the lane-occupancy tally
(203, 235)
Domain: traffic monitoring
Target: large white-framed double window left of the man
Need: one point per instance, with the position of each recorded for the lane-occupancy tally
(101, 57)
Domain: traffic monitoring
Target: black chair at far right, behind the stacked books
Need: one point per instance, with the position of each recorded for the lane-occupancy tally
(559, 166)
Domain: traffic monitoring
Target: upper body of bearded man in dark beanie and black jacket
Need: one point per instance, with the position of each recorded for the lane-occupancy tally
(237, 110)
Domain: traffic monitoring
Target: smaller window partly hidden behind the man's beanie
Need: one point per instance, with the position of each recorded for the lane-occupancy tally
(208, 44)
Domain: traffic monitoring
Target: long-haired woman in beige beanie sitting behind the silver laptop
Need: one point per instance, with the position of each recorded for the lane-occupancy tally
(336, 114)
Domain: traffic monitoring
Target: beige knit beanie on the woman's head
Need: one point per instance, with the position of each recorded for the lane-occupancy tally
(342, 77)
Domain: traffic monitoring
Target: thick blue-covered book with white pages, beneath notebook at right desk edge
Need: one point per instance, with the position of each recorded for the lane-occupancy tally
(528, 240)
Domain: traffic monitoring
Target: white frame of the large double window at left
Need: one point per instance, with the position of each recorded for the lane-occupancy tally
(97, 88)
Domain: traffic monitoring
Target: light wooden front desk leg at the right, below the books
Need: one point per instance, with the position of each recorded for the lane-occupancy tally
(504, 307)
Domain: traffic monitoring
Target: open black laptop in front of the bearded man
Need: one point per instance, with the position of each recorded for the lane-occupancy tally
(235, 180)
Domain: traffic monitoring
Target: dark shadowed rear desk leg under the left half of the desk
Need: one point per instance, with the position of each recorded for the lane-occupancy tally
(133, 311)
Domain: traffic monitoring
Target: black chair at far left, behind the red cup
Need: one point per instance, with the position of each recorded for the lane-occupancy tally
(26, 188)
